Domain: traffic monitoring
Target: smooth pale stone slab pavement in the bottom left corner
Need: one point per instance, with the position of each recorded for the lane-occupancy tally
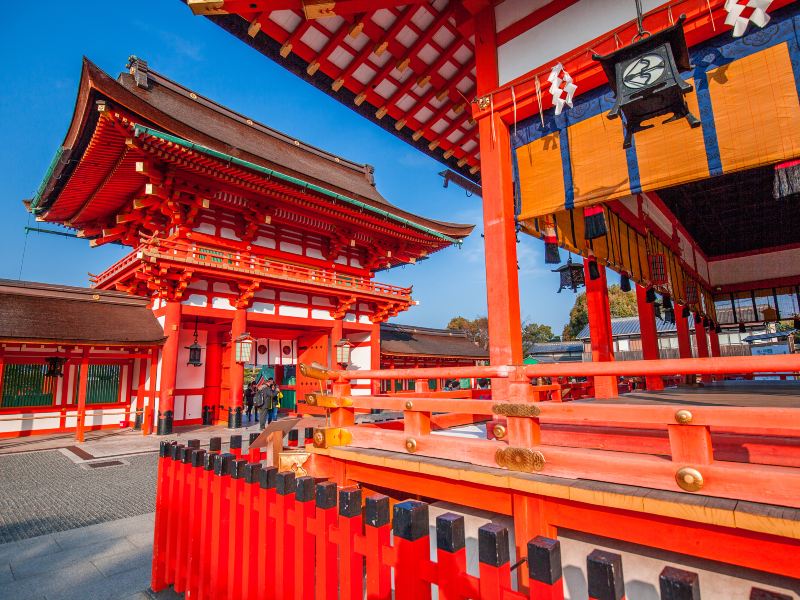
(107, 561)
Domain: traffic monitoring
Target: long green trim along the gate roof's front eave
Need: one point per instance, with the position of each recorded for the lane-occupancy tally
(141, 129)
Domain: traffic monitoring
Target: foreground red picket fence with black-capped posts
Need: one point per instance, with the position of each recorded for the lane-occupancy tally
(308, 540)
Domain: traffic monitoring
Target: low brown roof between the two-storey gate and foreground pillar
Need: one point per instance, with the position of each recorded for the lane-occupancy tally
(411, 340)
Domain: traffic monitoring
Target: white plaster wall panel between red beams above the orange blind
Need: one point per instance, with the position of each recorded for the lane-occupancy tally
(562, 33)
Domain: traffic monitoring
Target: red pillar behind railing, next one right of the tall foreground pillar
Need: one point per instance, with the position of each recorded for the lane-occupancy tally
(600, 328)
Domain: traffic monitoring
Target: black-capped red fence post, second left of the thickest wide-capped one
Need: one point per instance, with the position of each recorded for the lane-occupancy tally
(351, 564)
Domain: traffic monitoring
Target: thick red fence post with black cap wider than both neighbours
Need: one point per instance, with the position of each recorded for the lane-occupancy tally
(410, 527)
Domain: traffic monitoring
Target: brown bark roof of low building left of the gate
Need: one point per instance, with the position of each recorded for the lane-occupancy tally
(40, 312)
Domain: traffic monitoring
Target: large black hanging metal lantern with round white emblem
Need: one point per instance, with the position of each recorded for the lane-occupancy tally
(646, 78)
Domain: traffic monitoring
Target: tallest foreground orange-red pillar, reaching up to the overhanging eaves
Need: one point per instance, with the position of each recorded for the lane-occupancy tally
(505, 327)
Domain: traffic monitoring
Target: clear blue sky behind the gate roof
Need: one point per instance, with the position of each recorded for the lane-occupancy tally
(42, 50)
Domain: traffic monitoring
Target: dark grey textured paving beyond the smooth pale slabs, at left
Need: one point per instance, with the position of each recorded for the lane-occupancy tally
(46, 492)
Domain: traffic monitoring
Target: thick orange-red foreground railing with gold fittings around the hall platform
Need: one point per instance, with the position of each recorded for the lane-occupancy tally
(686, 464)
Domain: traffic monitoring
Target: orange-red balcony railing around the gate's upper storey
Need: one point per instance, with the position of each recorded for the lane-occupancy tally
(255, 266)
